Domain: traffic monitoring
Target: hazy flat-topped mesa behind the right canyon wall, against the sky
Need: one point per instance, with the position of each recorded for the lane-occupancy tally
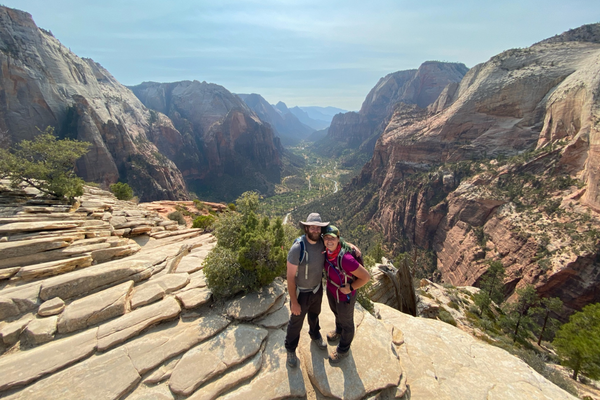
(421, 87)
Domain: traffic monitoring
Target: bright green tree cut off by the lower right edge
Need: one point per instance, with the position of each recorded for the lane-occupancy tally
(578, 342)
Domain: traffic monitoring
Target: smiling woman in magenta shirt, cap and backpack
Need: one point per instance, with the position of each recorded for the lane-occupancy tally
(344, 275)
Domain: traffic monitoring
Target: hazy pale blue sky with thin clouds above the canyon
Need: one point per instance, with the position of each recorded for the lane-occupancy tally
(304, 52)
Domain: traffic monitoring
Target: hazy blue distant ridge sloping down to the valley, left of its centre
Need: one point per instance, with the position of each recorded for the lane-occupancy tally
(287, 127)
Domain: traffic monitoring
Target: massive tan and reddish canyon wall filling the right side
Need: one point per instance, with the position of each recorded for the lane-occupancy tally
(500, 166)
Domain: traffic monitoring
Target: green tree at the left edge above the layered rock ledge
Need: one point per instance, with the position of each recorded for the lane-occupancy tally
(46, 163)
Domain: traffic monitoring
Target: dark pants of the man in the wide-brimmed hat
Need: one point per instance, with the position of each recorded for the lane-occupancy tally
(310, 303)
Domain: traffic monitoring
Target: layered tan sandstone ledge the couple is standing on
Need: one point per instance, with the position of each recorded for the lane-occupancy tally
(107, 300)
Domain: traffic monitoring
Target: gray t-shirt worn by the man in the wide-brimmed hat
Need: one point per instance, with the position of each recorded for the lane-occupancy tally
(316, 260)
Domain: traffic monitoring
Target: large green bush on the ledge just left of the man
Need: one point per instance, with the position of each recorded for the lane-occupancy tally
(251, 249)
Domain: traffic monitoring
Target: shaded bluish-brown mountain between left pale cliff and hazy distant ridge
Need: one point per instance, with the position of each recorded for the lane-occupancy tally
(221, 136)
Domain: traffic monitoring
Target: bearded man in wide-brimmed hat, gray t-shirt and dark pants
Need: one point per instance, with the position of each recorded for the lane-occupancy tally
(305, 263)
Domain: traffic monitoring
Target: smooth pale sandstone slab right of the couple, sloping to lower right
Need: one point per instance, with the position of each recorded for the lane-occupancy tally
(442, 362)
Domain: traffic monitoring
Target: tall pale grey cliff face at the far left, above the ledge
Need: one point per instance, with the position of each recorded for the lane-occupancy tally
(44, 84)
